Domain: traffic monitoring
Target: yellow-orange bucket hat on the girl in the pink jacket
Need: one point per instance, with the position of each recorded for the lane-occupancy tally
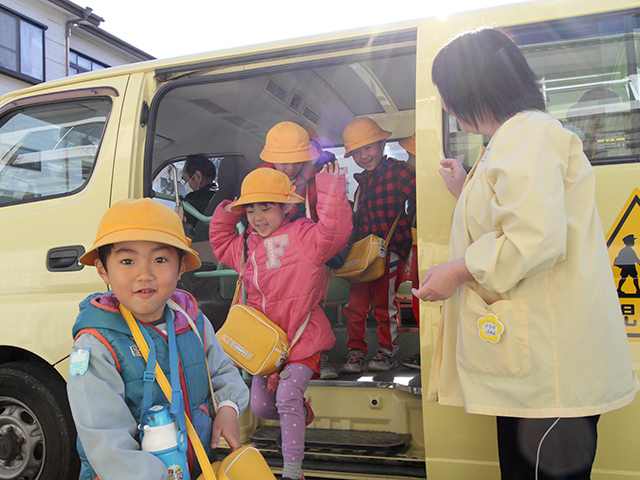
(265, 185)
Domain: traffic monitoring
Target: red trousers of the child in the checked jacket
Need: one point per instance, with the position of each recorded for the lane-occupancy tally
(382, 294)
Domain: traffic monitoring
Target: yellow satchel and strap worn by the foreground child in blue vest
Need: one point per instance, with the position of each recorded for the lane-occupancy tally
(246, 463)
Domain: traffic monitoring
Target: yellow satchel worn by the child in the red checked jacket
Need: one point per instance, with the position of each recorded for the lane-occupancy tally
(365, 261)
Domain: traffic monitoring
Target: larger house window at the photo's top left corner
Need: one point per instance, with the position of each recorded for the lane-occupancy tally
(21, 46)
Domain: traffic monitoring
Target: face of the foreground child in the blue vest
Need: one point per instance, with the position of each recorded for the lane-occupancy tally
(143, 276)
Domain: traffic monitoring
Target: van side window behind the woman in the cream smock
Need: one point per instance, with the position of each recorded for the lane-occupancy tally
(590, 85)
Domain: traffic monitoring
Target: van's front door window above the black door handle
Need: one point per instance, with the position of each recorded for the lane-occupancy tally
(49, 150)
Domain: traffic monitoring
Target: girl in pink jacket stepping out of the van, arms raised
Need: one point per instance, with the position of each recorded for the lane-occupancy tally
(283, 276)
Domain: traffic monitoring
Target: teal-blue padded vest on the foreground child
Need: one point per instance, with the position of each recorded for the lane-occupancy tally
(194, 378)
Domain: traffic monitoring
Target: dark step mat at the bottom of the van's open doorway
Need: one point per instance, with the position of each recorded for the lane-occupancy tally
(326, 440)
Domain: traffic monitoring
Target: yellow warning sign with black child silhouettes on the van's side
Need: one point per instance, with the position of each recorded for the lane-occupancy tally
(623, 241)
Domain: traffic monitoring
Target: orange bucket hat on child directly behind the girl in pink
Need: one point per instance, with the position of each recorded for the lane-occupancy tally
(288, 142)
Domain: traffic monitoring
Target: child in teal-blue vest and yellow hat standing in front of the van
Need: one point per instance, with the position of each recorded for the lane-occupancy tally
(140, 251)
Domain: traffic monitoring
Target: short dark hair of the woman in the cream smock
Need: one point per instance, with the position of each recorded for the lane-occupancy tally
(482, 75)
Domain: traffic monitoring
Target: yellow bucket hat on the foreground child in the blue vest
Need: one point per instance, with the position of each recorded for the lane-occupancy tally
(142, 220)
